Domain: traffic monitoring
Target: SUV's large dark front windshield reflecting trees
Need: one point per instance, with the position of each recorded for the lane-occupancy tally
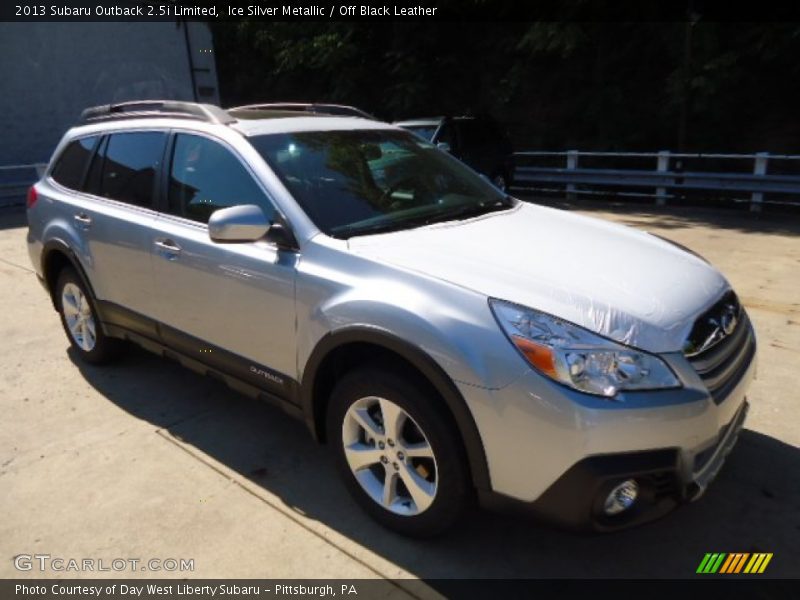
(369, 181)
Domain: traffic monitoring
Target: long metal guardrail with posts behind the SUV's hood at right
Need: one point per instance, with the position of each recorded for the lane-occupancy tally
(667, 182)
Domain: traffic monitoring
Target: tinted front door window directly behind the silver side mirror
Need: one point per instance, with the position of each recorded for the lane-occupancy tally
(205, 176)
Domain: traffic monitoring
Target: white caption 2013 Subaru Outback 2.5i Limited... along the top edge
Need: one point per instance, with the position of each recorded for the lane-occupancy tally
(227, 10)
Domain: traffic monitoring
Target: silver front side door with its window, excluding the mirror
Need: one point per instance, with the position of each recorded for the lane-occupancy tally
(229, 305)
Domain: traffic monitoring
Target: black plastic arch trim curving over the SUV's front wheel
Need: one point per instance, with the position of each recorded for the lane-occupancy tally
(423, 362)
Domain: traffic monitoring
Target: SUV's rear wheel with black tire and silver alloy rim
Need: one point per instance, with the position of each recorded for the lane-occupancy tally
(79, 318)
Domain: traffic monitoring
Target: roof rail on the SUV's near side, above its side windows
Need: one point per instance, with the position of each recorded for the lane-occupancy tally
(156, 108)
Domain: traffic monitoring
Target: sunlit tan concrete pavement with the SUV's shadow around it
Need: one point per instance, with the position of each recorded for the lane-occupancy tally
(145, 459)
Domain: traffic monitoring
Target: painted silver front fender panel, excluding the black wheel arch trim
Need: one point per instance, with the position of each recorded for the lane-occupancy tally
(453, 326)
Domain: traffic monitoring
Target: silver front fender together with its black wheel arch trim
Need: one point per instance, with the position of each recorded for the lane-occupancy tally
(446, 332)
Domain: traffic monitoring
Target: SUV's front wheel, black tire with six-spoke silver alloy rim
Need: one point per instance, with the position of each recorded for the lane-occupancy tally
(425, 452)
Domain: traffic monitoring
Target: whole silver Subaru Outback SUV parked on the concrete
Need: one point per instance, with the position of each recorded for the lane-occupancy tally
(448, 342)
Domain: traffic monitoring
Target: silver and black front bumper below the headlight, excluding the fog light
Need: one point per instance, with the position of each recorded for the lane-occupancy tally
(559, 453)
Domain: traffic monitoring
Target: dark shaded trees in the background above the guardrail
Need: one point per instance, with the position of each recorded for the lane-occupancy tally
(590, 85)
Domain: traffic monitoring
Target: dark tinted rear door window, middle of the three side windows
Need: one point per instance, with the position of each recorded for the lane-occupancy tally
(125, 167)
